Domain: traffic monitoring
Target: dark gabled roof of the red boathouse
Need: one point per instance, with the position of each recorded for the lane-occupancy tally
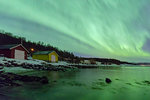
(11, 46)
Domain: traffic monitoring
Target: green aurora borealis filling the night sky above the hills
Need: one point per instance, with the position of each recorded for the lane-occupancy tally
(99, 28)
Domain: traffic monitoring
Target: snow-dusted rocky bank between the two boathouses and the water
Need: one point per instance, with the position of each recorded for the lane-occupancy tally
(34, 64)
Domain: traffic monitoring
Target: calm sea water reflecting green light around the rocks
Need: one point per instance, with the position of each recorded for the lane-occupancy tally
(86, 84)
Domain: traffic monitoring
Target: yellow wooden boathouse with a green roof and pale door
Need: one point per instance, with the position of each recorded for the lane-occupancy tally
(51, 56)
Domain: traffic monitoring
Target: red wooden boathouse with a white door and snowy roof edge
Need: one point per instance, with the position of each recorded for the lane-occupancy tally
(15, 51)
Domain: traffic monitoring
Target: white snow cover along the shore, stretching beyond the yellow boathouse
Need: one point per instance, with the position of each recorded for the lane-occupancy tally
(16, 63)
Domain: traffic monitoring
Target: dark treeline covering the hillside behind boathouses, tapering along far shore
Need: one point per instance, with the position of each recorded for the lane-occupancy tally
(8, 38)
